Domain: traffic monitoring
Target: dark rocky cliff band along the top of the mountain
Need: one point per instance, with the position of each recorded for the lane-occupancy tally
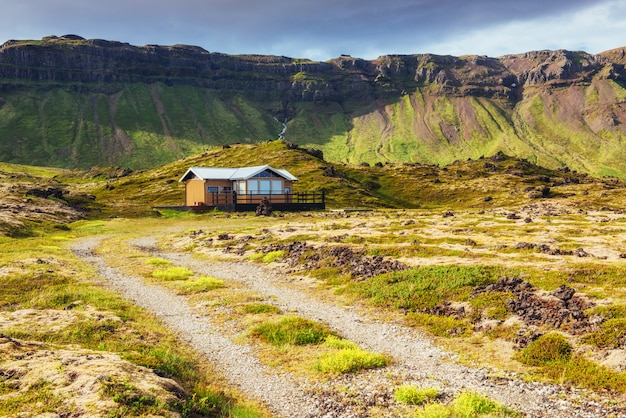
(74, 59)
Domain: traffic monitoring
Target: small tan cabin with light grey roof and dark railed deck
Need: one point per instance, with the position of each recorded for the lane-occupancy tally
(242, 189)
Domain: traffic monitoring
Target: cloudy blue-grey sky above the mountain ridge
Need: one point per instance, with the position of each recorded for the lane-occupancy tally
(324, 29)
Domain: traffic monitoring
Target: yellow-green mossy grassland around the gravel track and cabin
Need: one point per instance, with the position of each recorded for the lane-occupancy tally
(452, 251)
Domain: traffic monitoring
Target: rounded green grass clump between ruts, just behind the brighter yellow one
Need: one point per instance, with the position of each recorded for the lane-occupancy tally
(292, 330)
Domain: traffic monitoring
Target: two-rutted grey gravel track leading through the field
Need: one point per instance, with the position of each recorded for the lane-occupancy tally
(416, 359)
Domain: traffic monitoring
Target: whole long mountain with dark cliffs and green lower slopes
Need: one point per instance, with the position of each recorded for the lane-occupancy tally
(71, 102)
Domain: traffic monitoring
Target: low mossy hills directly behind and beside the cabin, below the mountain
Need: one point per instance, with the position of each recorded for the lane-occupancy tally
(35, 198)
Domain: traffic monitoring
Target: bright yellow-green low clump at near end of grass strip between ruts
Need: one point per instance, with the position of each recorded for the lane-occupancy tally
(350, 360)
